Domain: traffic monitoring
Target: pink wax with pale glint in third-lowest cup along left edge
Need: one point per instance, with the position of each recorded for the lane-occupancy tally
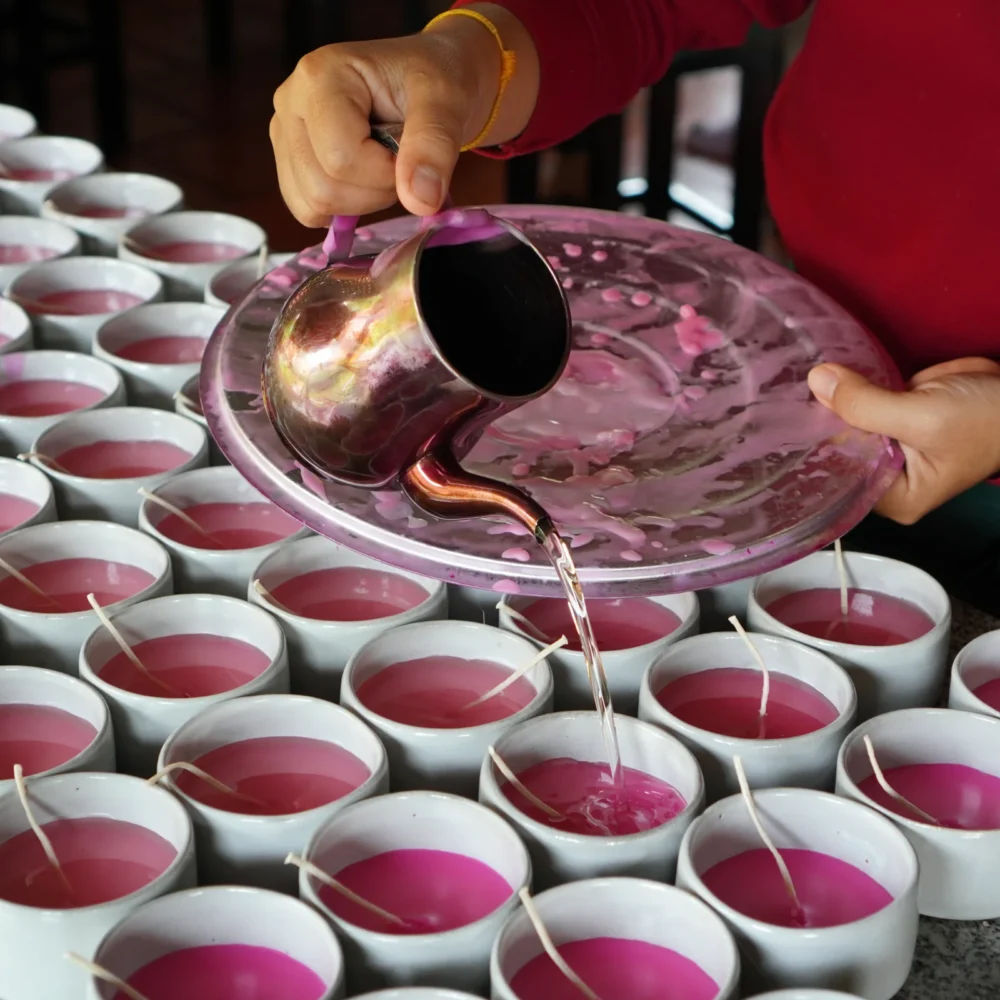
(68, 581)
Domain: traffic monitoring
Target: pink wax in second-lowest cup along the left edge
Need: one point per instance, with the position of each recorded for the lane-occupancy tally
(39, 737)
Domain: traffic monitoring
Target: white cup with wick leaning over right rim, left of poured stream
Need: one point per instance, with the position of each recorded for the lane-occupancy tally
(446, 760)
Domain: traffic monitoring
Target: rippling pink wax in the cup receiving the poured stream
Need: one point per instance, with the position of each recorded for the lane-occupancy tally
(585, 795)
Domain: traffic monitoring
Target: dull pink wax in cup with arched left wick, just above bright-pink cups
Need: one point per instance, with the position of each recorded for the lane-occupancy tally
(284, 774)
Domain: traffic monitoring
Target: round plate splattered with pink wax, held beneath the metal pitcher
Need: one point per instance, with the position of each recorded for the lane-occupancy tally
(681, 449)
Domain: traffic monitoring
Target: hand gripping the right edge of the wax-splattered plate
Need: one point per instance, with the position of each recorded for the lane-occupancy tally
(947, 423)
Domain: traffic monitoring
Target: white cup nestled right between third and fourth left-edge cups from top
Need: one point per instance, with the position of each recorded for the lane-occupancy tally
(62, 331)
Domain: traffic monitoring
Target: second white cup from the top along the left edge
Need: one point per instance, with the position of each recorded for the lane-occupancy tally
(70, 157)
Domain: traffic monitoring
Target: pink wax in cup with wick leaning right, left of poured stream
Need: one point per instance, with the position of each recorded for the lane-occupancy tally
(437, 691)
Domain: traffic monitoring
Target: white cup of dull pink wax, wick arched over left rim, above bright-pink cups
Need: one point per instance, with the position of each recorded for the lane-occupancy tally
(251, 850)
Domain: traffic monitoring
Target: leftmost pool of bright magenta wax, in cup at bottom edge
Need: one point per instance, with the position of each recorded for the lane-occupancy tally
(227, 972)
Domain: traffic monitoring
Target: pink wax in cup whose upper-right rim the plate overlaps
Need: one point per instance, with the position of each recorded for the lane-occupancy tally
(231, 525)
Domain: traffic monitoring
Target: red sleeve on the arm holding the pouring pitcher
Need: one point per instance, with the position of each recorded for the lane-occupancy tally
(596, 55)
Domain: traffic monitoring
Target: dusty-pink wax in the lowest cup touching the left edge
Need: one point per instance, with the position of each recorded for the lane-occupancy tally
(103, 859)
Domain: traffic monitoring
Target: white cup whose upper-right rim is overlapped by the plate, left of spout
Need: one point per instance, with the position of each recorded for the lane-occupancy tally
(217, 571)
